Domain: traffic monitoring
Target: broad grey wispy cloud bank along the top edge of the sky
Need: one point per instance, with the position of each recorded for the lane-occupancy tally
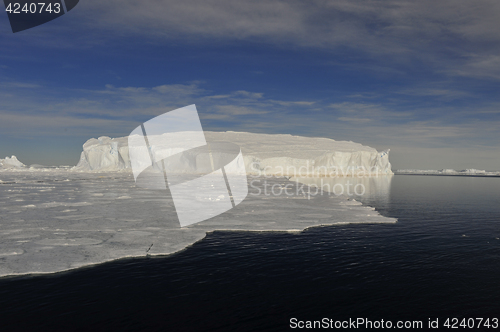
(404, 29)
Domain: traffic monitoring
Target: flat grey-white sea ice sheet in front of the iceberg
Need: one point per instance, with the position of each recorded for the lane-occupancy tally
(55, 220)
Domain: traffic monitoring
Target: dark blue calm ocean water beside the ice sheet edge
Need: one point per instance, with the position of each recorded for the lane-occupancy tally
(441, 260)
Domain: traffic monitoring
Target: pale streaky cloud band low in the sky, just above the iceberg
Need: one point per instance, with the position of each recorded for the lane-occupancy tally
(127, 106)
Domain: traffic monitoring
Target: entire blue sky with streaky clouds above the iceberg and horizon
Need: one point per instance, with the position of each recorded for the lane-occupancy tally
(418, 77)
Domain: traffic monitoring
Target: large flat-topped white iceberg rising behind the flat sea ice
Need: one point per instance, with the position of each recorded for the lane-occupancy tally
(282, 155)
